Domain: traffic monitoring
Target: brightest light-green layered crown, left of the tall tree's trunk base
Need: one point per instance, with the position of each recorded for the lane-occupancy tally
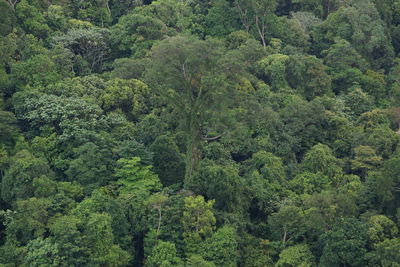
(133, 177)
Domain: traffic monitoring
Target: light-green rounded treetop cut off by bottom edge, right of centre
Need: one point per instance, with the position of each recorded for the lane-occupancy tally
(298, 255)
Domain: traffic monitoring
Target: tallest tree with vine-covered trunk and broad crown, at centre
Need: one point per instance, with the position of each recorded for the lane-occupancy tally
(192, 75)
